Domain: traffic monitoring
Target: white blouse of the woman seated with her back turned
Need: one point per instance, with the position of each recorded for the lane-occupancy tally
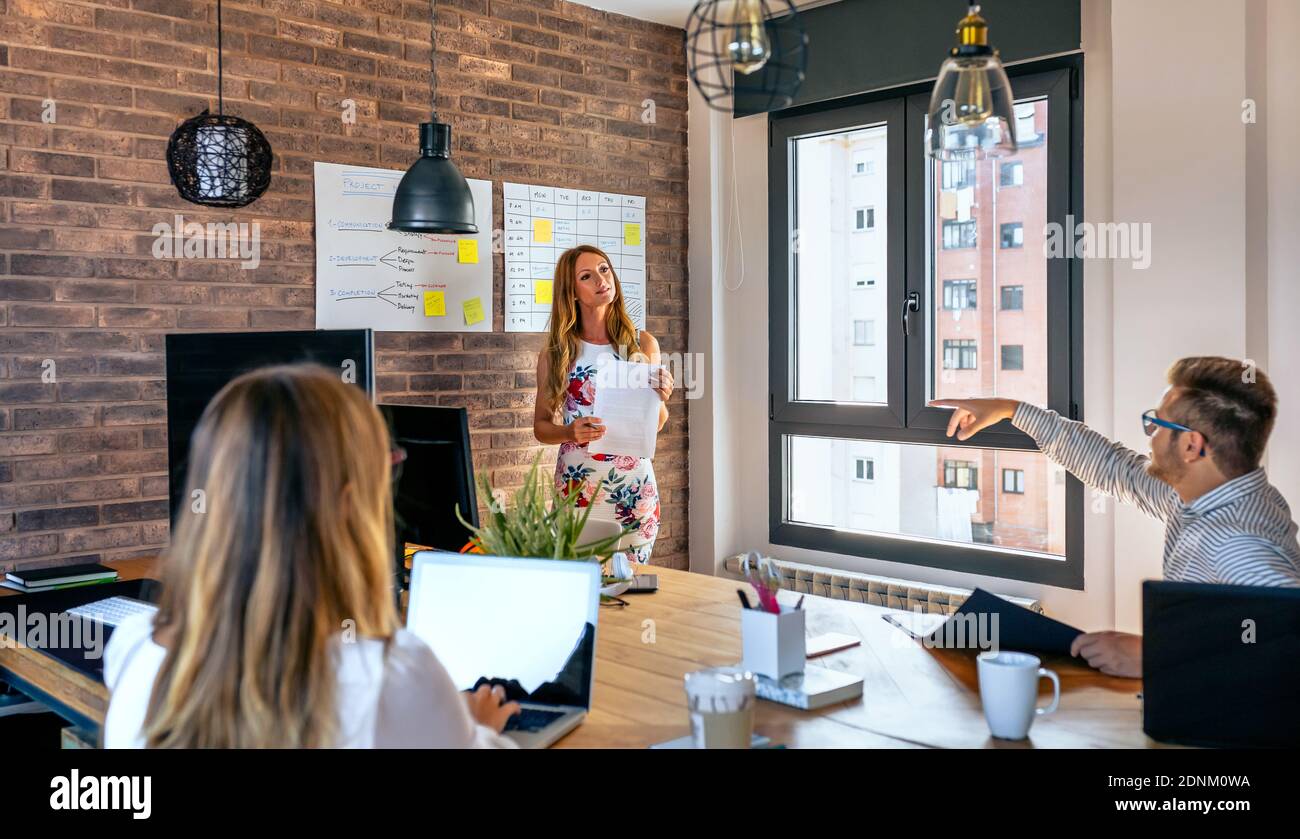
(401, 700)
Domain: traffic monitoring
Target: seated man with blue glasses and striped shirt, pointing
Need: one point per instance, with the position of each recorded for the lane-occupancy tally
(1225, 524)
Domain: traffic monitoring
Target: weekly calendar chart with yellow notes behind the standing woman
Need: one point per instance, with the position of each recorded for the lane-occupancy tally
(544, 222)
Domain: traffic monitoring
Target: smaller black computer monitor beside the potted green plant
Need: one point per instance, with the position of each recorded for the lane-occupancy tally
(436, 477)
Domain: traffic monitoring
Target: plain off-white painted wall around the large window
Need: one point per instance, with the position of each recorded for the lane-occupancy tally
(1164, 144)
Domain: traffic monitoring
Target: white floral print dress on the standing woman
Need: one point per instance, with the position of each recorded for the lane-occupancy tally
(629, 495)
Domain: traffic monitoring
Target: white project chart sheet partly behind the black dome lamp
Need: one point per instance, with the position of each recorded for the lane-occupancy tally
(369, 276)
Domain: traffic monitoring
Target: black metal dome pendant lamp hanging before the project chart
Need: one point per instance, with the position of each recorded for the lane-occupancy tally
(434, 197)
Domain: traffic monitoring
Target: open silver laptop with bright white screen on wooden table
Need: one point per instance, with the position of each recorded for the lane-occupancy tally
(527, 625)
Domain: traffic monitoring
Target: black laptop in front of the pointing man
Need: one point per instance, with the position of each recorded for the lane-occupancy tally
(1220, 665)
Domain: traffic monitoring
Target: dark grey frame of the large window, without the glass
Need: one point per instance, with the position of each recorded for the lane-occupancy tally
(907, 417)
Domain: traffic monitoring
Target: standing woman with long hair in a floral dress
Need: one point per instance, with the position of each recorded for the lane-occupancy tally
(588, 322)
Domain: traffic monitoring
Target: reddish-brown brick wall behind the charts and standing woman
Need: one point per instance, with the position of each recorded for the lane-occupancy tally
(540, 92)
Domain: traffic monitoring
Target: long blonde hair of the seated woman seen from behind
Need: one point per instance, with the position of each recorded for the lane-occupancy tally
(291, 547)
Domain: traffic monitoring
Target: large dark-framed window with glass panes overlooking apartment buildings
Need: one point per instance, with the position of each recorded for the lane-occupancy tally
(853, 374)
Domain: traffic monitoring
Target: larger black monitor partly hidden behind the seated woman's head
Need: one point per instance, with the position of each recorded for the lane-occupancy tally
(201, 365)
